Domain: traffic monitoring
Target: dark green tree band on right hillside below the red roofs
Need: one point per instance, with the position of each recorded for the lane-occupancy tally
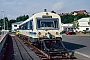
(68, 18)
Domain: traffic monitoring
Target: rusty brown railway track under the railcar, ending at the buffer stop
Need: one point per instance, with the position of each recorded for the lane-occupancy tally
(43, 55)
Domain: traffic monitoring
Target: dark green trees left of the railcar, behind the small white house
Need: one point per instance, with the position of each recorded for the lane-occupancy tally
(8, 23)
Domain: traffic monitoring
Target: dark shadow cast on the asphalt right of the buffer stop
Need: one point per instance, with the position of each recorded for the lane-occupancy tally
(73, 46)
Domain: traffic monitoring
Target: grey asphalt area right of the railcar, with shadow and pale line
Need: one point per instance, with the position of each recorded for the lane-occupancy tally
(81, 45)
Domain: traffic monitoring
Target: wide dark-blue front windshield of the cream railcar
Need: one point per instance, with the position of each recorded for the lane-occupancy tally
(51, 23)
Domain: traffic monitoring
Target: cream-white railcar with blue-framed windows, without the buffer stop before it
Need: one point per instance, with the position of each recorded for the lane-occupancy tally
(43, 25)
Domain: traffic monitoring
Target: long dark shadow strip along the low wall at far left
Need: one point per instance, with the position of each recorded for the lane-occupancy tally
(9, 50)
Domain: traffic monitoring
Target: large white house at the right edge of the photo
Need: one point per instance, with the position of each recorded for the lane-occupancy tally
(84, 24)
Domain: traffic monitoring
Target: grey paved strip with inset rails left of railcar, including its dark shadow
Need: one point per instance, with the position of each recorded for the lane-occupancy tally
(17, 50)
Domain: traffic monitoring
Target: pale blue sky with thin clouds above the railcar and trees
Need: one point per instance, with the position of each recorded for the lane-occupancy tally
(15, 8)
